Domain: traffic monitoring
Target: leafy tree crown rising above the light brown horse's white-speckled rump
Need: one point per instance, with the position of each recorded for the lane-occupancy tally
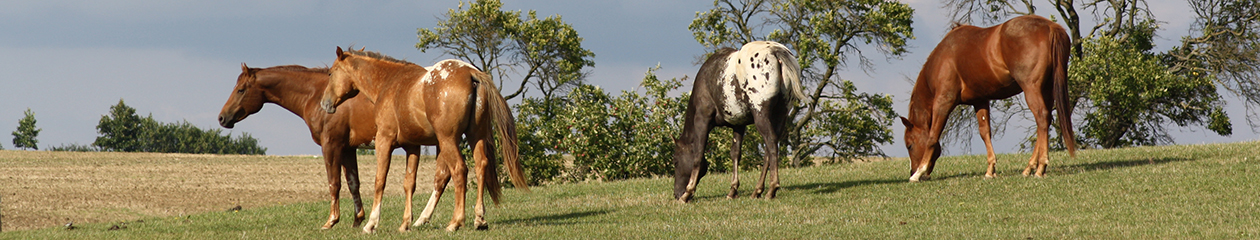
(547, 54)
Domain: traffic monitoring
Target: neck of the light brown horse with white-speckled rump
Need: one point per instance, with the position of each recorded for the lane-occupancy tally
(379, 76)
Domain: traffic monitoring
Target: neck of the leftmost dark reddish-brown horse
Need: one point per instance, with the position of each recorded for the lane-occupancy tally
(295, 92)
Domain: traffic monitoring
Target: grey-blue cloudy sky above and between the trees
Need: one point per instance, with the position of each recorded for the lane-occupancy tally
(70, 61)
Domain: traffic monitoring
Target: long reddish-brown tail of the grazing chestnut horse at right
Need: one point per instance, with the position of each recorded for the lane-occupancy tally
(1060, 49)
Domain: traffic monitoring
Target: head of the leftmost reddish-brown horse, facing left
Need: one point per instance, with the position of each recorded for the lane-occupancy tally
(246, 99)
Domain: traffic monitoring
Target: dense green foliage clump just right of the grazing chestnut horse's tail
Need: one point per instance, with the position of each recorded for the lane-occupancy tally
(1132, 95)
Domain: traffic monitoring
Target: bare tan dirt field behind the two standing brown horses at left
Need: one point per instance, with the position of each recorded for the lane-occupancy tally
(51, 189)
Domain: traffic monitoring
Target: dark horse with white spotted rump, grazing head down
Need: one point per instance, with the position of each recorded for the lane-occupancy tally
(734, 89)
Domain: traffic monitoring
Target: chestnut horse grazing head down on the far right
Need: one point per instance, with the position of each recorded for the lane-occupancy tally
(976, 65)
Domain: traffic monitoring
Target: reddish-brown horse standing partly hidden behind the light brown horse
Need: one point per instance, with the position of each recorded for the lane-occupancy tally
(299, 90)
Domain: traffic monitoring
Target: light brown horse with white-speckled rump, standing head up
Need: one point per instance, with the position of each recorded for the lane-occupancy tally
(439, 107)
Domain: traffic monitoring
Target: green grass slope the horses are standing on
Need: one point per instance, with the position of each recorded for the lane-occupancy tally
(1160, 193)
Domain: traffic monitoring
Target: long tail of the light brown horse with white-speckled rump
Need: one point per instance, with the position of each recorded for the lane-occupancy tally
(506, 127)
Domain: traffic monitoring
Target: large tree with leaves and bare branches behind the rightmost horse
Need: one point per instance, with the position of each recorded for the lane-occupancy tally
(1142, 92)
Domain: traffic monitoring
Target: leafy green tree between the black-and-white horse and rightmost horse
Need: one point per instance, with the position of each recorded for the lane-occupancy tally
(825, 36)
